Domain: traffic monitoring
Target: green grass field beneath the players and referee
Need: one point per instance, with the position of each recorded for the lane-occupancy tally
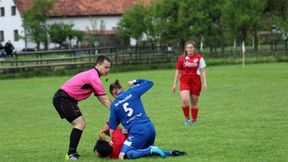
(243, 117)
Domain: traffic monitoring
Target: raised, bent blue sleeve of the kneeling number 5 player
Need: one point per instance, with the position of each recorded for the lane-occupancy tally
(141, 86)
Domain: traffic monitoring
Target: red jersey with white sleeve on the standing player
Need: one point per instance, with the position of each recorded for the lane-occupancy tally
(190, 64)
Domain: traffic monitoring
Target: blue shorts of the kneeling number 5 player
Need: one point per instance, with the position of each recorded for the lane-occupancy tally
(139, 137)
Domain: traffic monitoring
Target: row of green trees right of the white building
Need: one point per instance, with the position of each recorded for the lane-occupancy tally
(218, 23)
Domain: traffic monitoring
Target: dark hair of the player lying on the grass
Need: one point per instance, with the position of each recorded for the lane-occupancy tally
(103, 148)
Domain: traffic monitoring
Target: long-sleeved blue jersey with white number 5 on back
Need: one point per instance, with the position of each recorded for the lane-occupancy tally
(128, 109)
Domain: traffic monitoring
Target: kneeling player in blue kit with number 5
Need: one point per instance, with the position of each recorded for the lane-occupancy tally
(127, 109)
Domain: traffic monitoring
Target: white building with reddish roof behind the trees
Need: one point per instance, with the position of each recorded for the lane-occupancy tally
(85, 15)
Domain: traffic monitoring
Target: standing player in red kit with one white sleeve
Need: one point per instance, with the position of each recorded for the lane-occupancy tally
(192, 76)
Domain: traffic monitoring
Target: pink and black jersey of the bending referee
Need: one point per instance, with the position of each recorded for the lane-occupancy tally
(83, 84)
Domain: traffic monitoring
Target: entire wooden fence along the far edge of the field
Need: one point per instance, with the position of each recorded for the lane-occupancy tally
(50, 60)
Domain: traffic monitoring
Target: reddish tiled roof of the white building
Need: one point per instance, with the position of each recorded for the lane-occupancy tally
(85, 7)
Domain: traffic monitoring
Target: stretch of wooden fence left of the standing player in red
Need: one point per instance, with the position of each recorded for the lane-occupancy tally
(26, 61)
